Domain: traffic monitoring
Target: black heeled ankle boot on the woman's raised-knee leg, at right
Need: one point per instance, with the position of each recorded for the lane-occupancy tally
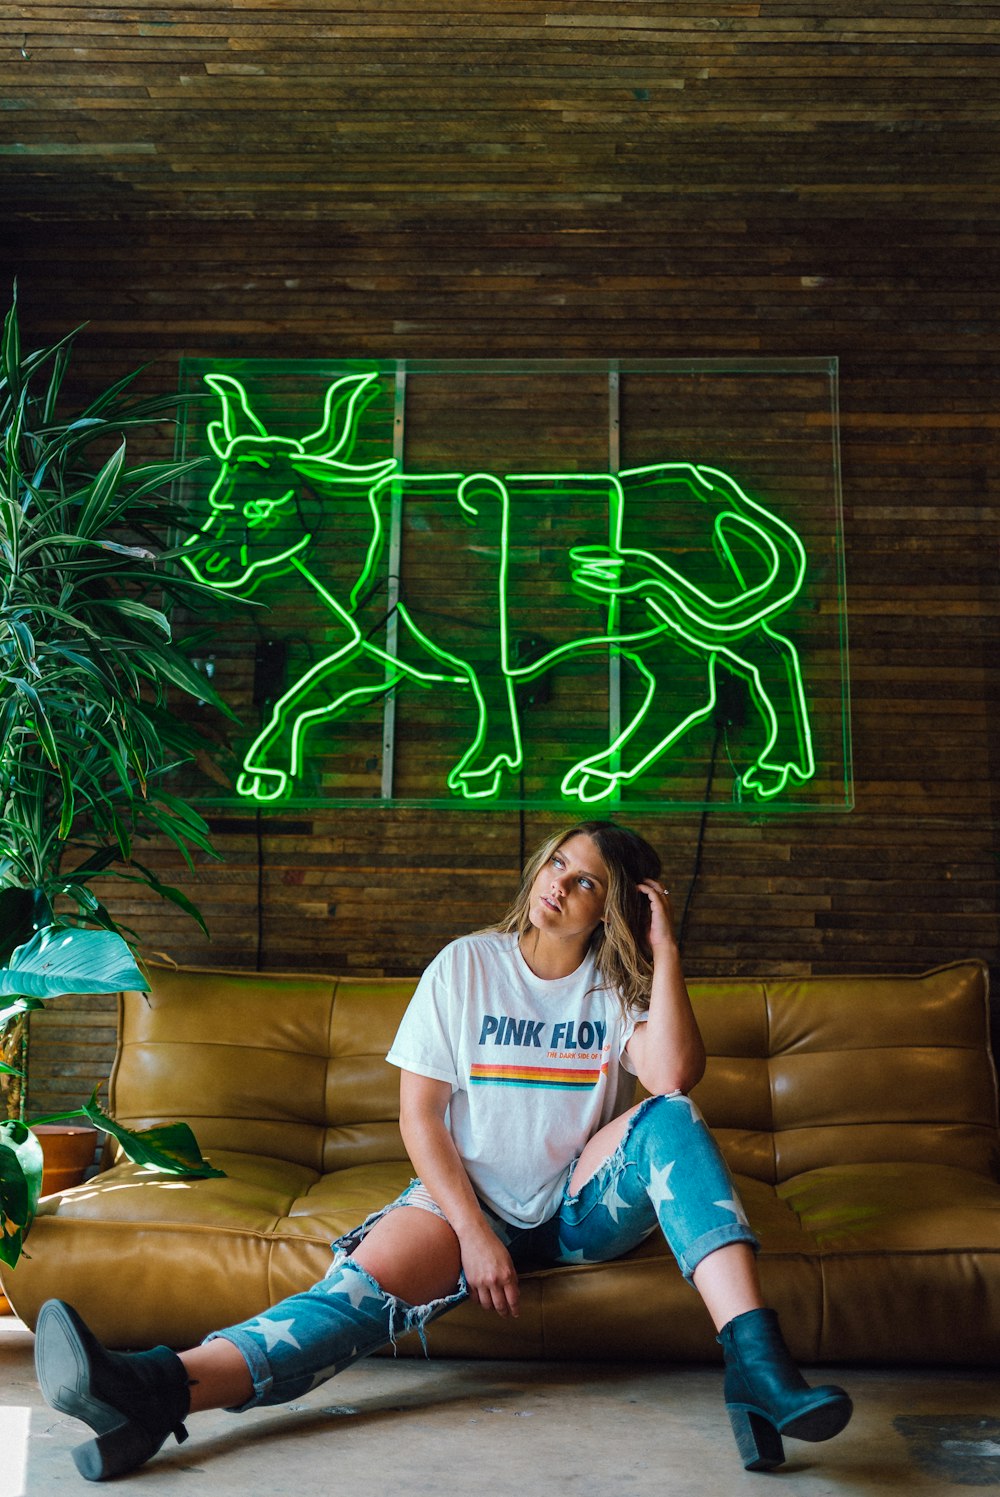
(769, 1397)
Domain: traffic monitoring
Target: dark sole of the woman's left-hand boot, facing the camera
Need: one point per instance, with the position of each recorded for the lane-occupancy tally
(65, 1373)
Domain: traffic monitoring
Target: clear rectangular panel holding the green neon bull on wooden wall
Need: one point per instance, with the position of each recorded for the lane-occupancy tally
(564, 585)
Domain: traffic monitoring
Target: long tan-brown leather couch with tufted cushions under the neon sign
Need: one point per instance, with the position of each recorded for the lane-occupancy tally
(860, 1116)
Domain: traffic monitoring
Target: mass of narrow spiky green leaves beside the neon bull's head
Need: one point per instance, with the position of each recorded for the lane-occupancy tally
(92, 576)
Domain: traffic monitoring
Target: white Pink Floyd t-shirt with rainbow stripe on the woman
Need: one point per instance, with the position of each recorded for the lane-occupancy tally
(532, 1064)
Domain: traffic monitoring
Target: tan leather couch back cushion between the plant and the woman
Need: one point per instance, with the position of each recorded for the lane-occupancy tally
(276, 1065)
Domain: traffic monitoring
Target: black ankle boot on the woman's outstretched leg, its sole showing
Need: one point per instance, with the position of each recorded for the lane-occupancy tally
(131, 1400)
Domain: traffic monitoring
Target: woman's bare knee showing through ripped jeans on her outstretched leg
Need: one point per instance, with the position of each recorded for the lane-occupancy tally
(412, 1254)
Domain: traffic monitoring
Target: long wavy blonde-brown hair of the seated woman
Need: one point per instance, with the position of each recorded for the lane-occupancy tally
(621, 945)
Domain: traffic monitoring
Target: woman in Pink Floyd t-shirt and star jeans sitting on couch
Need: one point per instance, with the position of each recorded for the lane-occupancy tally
(510, 1055)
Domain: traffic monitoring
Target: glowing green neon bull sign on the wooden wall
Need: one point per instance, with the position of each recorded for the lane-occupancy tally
(650, 604)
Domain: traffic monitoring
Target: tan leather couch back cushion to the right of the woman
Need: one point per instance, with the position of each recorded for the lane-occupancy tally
(872, 1070)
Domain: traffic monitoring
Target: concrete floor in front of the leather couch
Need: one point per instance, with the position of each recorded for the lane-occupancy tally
(519, 1429)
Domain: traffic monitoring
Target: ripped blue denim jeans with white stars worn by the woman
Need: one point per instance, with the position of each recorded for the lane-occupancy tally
(667, 1173)
